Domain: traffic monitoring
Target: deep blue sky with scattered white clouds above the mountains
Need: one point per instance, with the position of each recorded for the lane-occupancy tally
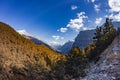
(57, 21)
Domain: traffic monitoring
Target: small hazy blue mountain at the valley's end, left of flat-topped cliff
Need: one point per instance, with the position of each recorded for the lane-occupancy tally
(66, 47)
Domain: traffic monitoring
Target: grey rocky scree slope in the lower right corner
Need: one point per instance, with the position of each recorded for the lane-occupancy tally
(108, 67)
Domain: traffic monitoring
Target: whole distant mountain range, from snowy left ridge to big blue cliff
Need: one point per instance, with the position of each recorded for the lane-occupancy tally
(81, 40)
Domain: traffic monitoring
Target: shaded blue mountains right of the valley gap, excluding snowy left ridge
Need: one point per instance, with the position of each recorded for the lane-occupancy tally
(82, 39)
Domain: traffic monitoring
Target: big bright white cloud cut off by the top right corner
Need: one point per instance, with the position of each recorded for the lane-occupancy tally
(114, 5)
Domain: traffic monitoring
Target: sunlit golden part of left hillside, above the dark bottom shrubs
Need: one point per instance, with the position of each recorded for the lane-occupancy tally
(16, 52)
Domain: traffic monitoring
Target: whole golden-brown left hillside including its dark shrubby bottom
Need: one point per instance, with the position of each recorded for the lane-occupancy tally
(21, 59)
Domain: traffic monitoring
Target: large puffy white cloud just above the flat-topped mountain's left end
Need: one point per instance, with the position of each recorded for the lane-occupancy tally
(78, 23)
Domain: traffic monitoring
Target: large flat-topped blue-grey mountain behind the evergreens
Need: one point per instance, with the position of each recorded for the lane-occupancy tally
(84, 38)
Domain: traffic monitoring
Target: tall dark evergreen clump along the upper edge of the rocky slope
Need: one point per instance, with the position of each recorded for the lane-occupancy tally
(103, 38)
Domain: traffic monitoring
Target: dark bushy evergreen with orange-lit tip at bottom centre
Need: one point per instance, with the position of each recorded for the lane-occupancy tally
(75, 63)
